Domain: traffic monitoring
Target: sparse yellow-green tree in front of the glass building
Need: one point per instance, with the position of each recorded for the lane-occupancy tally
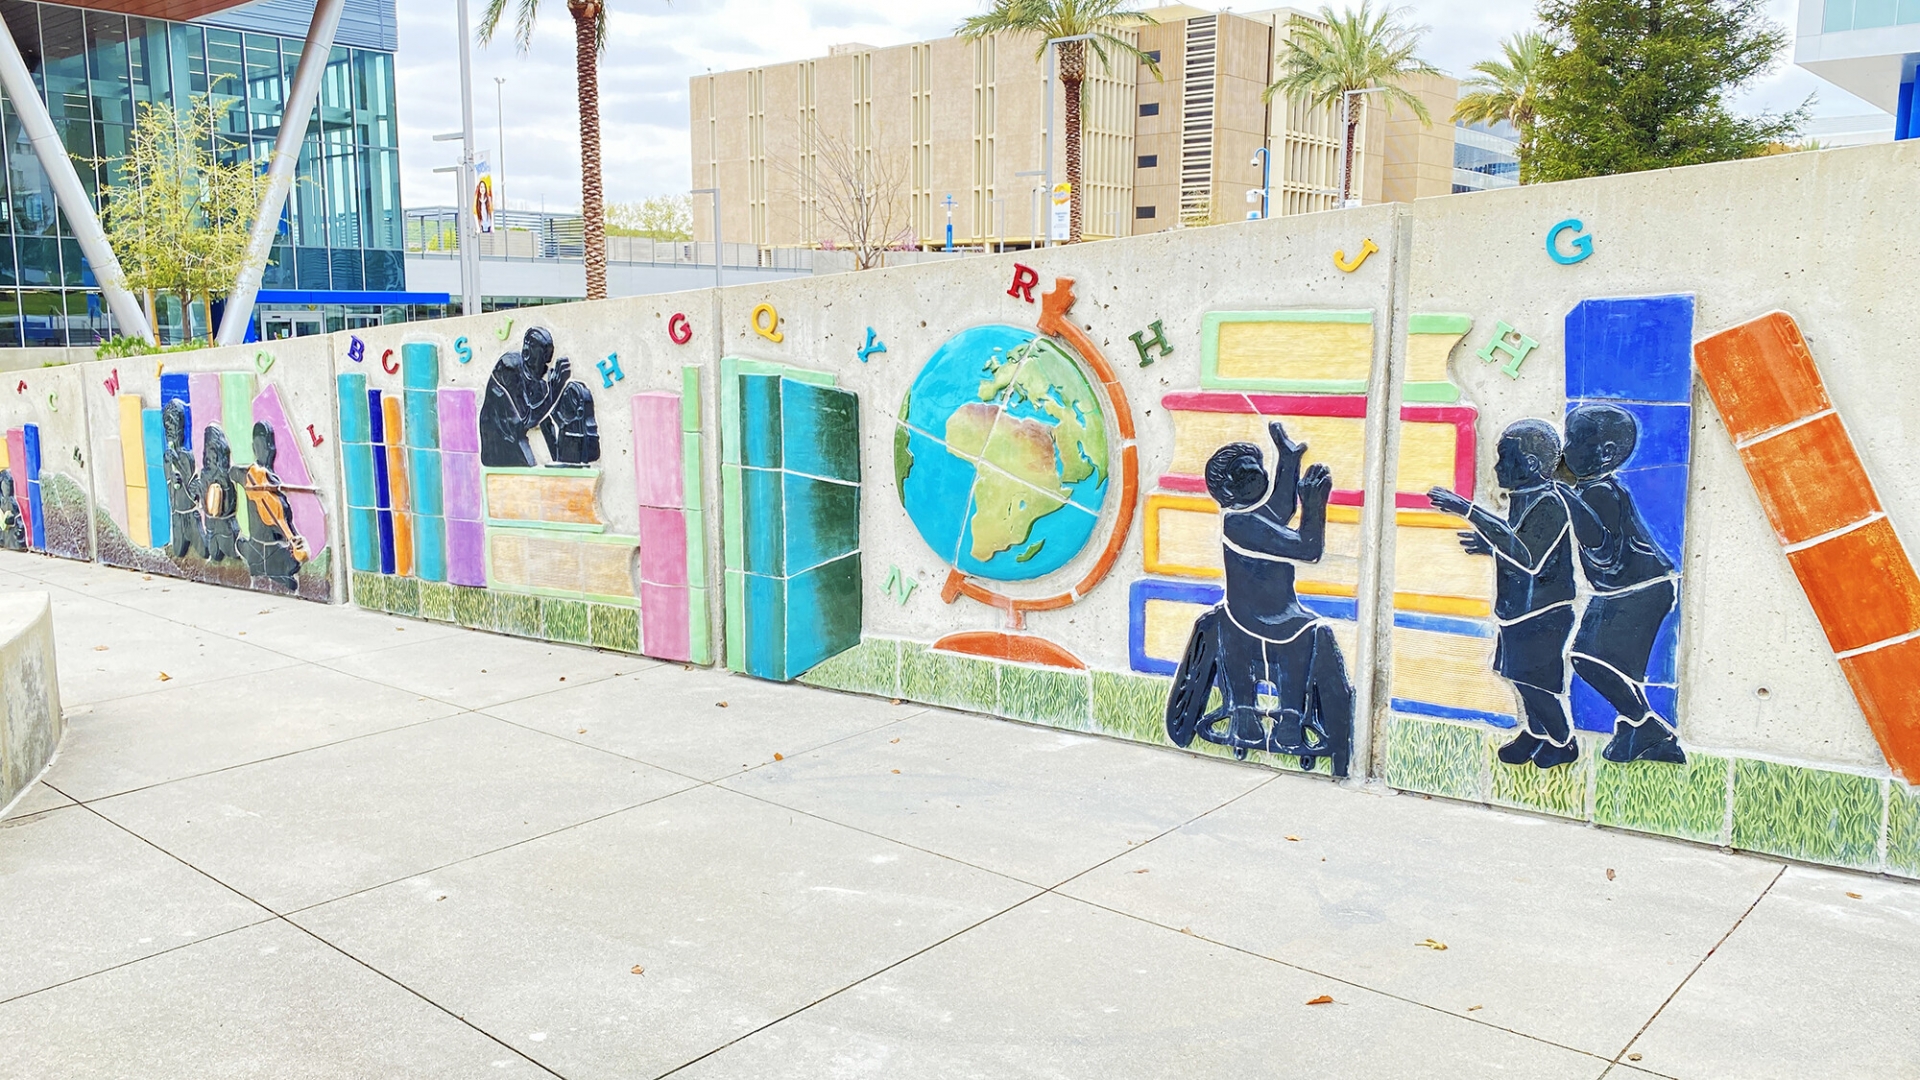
(178, 212)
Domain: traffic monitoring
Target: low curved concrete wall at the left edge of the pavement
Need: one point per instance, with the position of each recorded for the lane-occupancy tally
(30, 693)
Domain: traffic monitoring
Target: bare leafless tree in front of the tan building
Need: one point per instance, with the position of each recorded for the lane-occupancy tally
(857, 197)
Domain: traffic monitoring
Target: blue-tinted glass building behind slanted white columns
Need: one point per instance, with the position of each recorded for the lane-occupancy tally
(343, 228)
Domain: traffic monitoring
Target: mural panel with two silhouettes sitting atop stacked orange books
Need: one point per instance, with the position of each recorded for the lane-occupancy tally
(525, 499)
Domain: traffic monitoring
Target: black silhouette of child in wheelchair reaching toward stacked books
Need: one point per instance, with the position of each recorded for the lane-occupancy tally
(1268, 656)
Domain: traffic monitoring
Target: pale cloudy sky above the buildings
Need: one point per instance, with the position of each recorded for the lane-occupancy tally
(656, 47)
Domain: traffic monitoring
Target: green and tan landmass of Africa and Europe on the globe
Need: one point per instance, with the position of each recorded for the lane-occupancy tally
(1026, 464)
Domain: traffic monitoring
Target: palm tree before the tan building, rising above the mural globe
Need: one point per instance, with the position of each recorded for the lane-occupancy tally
(1090, 20)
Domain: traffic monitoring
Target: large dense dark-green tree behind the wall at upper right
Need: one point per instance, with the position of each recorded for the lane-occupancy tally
(1644, 84)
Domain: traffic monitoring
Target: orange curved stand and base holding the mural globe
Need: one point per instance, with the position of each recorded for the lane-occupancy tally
(1028, 649)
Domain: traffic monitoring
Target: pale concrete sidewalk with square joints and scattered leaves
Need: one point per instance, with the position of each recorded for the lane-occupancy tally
(293, 841)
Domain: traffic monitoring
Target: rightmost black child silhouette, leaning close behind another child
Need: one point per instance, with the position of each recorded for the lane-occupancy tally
(1633, 583)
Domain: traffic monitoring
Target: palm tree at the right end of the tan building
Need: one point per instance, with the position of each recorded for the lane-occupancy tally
(1356, 51)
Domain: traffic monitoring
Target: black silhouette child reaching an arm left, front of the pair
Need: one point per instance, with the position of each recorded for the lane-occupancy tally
(1533, 587)
